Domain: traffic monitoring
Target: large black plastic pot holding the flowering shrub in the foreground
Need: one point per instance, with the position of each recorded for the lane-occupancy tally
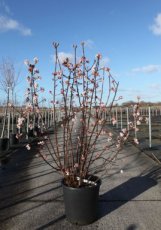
(81, 204)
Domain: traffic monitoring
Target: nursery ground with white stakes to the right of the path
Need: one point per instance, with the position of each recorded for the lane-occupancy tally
(149, 134)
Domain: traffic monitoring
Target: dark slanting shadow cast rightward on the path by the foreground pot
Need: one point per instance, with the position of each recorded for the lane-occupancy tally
(118, 196)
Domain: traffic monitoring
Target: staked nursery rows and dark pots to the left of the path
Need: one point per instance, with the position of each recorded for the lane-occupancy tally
(8, 130)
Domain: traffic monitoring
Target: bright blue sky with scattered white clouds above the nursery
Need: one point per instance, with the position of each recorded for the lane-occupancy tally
(126, 32)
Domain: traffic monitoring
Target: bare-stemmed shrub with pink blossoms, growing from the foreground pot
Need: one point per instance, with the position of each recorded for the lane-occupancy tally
(87, 91)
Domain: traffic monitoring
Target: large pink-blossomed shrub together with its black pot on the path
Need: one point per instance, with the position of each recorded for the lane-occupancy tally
(84, 93)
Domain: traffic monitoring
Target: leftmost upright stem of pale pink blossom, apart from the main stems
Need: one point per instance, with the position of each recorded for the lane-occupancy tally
(30, 117)
